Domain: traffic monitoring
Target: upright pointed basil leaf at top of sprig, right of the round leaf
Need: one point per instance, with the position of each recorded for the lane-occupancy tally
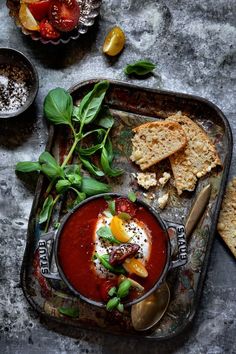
(91, 103)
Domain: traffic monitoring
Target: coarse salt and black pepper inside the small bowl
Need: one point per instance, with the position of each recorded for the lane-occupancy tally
(14, 88)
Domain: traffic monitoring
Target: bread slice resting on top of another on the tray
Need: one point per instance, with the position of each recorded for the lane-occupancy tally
(155, 141)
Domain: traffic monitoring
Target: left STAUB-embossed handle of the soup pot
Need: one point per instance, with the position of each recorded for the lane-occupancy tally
(44, 256)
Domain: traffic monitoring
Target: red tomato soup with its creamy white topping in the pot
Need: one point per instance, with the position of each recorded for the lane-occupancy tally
(80, 245)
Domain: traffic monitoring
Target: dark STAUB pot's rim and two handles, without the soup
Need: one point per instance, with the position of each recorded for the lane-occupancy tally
(165, 225)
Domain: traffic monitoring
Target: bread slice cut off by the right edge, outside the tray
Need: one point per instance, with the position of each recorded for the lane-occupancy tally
(227, 219)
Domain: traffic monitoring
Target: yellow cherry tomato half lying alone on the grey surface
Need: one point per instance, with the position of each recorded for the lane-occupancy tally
(114, 42)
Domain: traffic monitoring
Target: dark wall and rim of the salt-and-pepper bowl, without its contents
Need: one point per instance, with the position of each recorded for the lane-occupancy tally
(9, 56)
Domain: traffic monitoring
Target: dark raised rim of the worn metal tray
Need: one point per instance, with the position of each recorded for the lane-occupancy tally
(26, 257)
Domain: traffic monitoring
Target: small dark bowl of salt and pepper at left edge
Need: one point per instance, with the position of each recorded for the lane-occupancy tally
(14, 61)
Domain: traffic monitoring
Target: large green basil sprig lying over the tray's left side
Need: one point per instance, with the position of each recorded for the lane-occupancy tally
(59, 109)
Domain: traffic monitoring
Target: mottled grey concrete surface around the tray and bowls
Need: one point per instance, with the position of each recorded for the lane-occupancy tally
(193, 44)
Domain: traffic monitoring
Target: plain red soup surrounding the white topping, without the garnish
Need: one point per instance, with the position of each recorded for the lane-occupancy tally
(75, 250)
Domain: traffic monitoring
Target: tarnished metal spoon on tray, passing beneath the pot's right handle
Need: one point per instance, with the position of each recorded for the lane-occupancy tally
(148, 312)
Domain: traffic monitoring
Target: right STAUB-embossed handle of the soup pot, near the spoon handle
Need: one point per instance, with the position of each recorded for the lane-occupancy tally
(182, 257)
